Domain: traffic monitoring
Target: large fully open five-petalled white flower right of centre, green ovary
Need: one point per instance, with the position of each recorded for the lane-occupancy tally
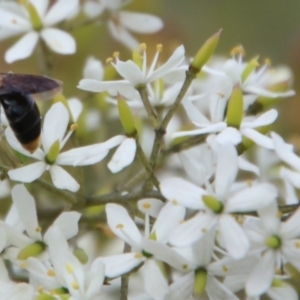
(216, 205)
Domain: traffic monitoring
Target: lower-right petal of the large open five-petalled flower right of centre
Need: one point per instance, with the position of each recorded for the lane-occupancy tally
(235, 239)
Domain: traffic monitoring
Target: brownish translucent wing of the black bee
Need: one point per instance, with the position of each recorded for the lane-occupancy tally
(41, 87)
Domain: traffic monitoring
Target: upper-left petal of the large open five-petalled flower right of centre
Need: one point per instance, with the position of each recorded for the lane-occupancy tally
(184, 192)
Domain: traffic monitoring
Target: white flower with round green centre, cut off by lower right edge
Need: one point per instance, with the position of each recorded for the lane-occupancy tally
(277, 243)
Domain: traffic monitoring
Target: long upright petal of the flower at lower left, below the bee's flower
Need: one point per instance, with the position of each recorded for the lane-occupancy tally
(27, 210)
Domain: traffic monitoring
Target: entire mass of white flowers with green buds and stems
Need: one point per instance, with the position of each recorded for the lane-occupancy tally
(204, 203)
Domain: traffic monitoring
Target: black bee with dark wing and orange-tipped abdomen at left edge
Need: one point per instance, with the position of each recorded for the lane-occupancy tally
(18, 93)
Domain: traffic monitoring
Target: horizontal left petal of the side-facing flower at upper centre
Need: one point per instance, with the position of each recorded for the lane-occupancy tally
(96, 86)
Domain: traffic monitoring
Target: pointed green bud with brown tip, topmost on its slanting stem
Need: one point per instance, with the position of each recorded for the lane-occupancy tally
(205, 52)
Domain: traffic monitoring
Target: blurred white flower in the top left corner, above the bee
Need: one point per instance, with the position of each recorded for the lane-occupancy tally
(15, 19)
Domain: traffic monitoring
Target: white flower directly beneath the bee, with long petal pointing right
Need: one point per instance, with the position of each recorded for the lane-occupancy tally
(53, 135)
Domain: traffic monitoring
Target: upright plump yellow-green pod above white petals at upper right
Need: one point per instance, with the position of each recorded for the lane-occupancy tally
(235, 108)
